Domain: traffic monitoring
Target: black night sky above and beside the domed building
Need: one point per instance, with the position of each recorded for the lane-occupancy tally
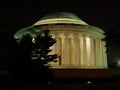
(103, 14)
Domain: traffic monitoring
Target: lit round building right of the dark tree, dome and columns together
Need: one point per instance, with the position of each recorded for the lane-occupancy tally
(78, 44)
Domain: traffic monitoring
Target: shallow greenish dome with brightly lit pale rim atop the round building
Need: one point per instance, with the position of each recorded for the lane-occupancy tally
(60, 18)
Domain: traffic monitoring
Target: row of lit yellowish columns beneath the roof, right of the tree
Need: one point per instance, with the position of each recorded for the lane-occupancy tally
(79, 50)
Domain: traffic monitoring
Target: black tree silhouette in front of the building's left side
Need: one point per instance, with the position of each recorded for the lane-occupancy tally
(34, 57)
